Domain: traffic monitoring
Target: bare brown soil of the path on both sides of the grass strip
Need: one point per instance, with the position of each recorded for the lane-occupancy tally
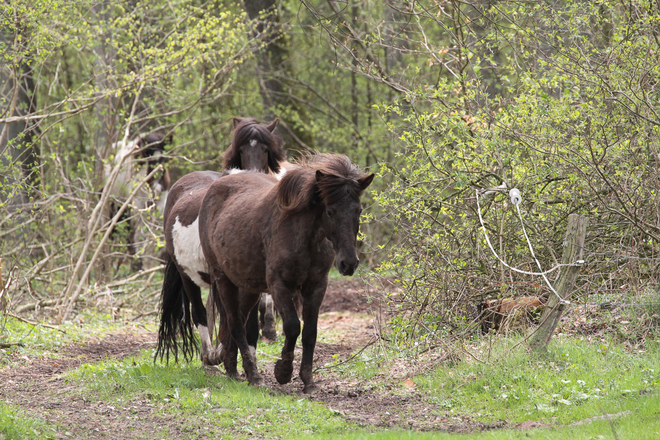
(351, 309)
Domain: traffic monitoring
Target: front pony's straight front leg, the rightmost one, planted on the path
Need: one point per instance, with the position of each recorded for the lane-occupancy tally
(312, 298)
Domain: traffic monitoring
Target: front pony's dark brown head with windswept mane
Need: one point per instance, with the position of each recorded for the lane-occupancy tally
(334, 185)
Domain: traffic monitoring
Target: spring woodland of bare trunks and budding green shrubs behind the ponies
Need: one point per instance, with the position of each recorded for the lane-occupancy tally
(442, 98)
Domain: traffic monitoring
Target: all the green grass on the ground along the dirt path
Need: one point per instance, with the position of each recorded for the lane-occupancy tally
(575, 382)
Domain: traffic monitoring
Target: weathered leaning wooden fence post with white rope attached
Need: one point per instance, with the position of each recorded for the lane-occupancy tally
(576, 231)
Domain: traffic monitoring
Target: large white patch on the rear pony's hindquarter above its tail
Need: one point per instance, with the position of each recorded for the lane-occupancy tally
(188, 251)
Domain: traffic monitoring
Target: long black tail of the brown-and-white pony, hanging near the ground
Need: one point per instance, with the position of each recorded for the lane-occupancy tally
(175, 318)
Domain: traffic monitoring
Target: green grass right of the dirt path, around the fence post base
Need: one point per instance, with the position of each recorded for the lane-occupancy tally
(578, 390)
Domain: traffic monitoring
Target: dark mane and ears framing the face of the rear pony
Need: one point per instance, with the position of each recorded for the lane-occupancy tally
(247, 129)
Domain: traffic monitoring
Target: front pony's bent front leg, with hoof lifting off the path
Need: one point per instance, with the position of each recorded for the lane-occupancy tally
(291, 326)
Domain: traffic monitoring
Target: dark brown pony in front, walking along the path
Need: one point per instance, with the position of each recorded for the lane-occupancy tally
(259, 234)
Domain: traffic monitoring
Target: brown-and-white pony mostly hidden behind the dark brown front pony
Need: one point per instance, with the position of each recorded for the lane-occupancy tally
(254, 146)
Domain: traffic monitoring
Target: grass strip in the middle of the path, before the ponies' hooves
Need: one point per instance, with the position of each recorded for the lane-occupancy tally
(220, 404)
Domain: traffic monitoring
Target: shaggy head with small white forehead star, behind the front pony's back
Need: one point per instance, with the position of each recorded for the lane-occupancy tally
(255, 146)
